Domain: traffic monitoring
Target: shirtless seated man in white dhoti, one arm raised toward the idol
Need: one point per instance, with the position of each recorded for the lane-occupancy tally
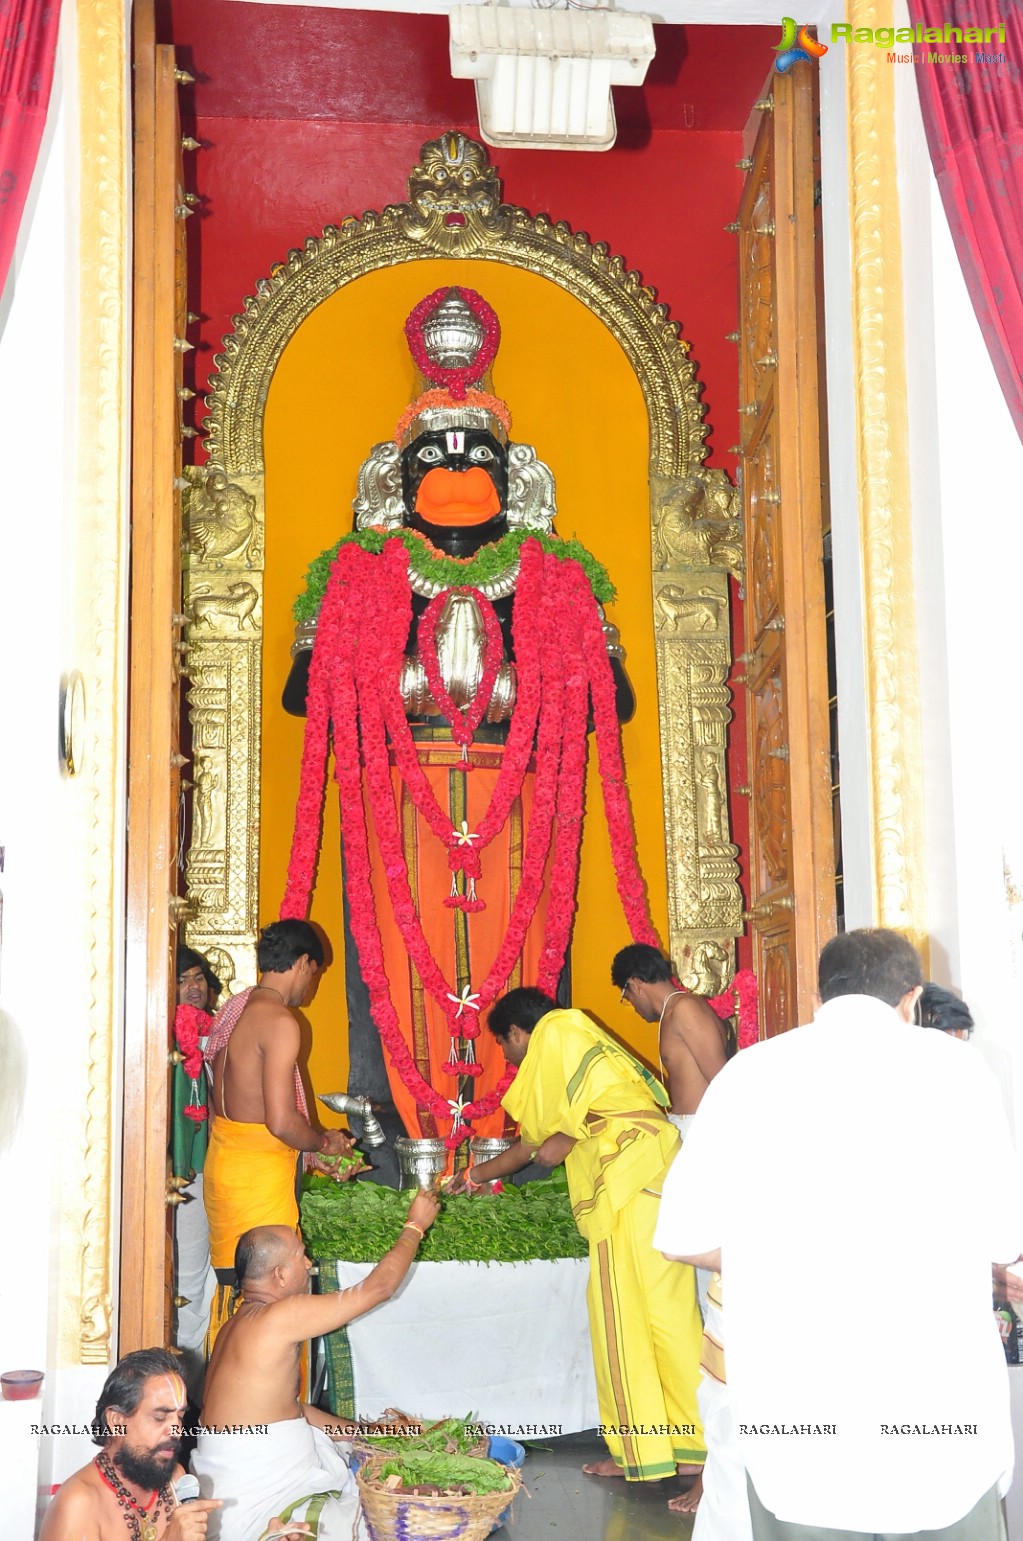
(260, 1449)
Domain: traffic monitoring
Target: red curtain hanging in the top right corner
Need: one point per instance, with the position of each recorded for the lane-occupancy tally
(974, 121)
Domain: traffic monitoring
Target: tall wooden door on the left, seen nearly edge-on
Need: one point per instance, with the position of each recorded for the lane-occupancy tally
(156, 605)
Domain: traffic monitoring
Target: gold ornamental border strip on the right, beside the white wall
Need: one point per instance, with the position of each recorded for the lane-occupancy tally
(894, 731)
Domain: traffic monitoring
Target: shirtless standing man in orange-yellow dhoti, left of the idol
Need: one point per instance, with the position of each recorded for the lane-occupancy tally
(260, 1121)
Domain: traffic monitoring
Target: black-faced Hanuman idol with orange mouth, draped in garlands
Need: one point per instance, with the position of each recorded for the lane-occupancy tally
(455, 656)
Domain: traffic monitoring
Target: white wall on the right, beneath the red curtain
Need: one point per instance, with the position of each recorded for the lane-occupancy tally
(967, 465)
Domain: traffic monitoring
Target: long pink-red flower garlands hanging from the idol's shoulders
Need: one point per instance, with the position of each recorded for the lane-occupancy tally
(563, 668)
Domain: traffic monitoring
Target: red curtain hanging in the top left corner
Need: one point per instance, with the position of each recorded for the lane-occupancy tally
(29, 45)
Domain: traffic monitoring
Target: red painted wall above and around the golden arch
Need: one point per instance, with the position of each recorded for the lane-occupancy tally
(662, 198)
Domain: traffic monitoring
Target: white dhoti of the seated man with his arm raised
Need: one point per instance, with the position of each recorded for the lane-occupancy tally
(258, 1476)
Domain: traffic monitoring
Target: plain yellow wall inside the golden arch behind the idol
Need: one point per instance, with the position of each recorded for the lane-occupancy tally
(341, 386)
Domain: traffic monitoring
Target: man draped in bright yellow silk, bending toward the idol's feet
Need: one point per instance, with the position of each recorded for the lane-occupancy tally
(582, 1098)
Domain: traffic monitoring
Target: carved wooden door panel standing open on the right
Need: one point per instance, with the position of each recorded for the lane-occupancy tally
(793, 859)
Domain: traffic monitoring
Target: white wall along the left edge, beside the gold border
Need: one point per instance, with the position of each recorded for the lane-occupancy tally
(44, 961)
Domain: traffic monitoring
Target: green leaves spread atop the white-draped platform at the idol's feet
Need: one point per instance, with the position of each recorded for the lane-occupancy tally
(360, 1221)
